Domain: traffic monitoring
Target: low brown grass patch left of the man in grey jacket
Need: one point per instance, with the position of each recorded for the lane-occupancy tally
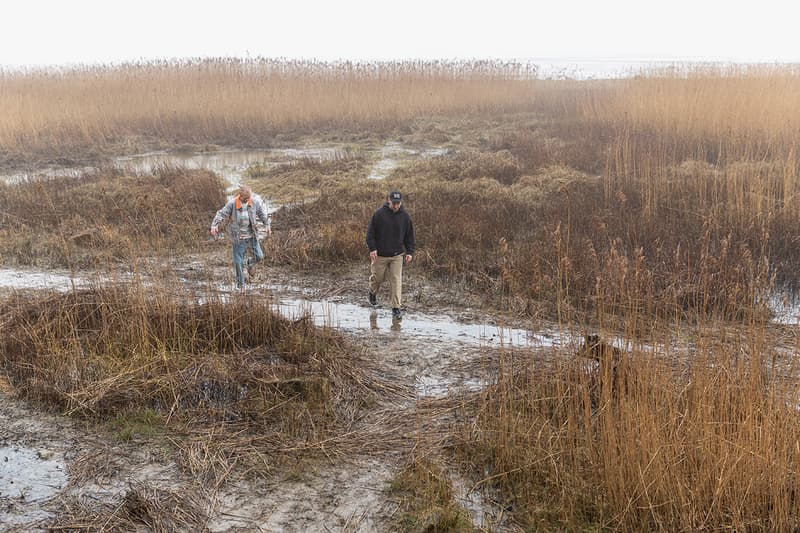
(105, 217)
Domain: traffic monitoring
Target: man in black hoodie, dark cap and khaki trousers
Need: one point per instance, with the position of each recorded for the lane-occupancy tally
(390, 237)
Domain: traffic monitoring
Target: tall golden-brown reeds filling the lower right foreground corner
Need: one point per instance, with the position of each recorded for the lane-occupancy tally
(709, 443)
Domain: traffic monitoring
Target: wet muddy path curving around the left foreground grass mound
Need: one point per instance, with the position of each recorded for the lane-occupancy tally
(436, 354)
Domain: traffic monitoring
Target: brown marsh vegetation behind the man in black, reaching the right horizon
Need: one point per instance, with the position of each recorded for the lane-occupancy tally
(561, 214)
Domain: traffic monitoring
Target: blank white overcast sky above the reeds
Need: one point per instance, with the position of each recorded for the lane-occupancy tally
(55, 32)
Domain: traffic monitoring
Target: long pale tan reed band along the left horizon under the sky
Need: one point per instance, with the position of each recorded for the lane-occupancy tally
(59, 113)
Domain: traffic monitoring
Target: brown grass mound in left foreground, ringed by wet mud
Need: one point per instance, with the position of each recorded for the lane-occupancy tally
(229, 382)
